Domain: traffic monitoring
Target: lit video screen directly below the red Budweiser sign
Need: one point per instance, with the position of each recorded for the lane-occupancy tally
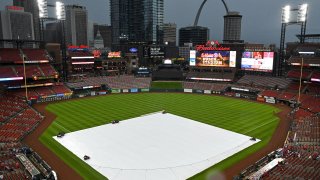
(216, 58)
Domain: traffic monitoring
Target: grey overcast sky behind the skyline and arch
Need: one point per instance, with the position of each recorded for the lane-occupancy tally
(261, 22)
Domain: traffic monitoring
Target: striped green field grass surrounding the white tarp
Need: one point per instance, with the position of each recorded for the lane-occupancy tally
(249, 118)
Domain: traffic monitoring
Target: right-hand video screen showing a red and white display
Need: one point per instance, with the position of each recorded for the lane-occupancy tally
(257, 61)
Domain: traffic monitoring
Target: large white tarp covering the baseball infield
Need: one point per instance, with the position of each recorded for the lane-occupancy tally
(154, 147)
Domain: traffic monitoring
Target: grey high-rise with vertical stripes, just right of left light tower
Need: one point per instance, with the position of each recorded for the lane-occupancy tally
(76, 25)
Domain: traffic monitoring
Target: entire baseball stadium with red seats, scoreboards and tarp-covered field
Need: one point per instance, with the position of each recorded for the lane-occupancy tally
(225, 111)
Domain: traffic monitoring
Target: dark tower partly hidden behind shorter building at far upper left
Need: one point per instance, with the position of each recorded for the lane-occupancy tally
(31, 6)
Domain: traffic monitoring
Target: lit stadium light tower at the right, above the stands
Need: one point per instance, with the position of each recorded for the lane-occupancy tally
(289, 18)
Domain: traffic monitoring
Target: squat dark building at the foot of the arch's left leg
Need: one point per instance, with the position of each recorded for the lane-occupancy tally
(193, 34)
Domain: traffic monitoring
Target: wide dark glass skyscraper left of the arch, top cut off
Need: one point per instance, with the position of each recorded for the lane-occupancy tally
(137, 21)
